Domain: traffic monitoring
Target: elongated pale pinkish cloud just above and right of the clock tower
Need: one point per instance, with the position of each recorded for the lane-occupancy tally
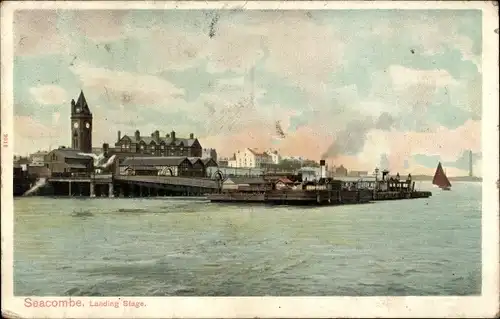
(126, 88)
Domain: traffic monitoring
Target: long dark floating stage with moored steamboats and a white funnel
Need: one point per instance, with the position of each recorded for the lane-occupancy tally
(293, 190)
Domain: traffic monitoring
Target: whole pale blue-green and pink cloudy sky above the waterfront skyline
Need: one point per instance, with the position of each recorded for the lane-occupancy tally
(362, 88)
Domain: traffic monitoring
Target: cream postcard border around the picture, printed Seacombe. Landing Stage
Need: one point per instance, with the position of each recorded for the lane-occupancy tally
(485, 305)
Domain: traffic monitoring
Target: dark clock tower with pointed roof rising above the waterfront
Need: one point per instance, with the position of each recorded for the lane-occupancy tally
(81, 125)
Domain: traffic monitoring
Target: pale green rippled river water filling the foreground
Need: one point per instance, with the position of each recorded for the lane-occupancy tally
(187, 247)
